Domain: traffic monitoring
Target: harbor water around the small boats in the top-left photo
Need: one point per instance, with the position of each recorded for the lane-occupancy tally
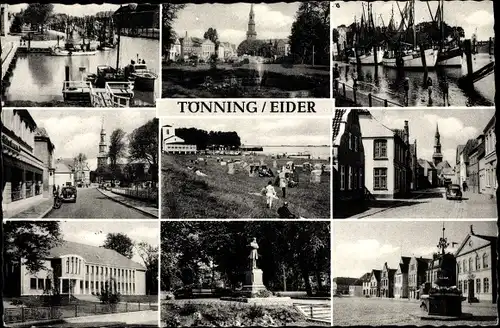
(39, 77)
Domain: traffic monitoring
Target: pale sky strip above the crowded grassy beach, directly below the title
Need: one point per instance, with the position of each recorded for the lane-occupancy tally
(264, 131)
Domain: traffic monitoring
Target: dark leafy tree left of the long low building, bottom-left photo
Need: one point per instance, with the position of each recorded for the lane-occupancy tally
(30, 242)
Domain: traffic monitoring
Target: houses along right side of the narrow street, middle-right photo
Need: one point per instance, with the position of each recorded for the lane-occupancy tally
(476, 162)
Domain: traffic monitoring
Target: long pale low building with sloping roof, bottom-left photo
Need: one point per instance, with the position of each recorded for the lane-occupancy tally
(79, 269)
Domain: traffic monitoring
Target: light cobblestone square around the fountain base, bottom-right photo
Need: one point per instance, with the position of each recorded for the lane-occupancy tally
(357, 311)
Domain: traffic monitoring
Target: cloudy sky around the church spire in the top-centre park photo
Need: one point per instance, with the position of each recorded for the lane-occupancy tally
(272, 21)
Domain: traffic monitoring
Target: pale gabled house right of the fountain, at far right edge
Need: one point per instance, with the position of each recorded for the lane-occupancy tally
(477, 266)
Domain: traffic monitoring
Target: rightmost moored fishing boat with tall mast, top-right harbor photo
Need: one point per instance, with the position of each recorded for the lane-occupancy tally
(450, 54)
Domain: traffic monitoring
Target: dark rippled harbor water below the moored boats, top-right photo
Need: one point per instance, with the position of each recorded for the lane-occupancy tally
(388, 84)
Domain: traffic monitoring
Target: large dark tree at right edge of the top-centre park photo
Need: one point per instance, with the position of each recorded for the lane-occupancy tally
(311, 30)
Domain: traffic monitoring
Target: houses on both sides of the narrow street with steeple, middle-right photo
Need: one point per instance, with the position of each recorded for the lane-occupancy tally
(371, 159)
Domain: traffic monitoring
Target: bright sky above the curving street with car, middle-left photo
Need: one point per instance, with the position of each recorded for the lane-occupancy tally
(78, 131)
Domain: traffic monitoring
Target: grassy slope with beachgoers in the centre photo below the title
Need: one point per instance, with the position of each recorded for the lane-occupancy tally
(219, 195)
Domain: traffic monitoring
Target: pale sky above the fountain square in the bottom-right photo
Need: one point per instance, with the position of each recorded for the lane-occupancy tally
(360, 246)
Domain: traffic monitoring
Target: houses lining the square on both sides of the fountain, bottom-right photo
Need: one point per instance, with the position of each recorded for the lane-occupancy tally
(474, 273)
